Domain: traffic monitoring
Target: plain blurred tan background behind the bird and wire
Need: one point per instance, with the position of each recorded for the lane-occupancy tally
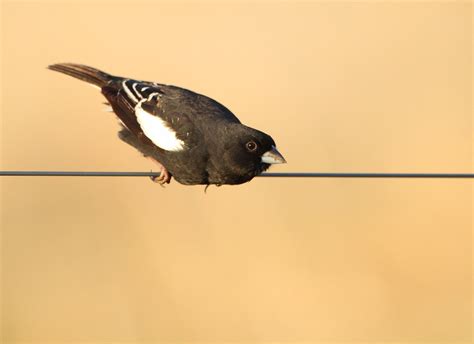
(340, 86)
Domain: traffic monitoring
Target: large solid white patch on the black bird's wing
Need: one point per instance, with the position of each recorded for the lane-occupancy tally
(157, 130)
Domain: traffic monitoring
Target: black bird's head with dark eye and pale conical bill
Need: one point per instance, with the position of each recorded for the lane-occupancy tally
(250, 151)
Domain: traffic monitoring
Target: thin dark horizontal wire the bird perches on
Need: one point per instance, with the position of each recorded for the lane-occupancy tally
(268, 174)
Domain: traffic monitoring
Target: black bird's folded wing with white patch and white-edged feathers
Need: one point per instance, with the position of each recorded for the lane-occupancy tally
(141, 106)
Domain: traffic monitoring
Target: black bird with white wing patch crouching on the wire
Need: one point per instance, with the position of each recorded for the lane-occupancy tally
(193, 138)
